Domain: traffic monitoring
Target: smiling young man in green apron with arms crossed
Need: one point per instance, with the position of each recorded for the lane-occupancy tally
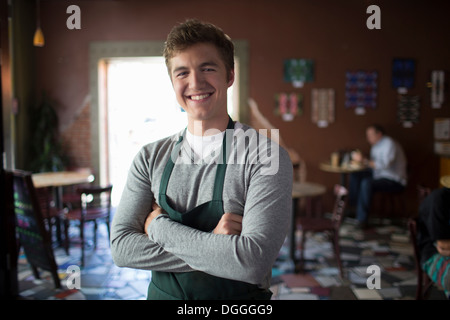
(207, 210)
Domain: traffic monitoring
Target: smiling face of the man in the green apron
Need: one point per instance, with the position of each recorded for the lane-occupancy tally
(199, 78)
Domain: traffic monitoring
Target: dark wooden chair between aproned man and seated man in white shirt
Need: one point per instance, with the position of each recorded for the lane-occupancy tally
(330, 226)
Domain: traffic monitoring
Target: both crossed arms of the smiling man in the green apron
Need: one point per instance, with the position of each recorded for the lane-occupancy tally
(241, 248)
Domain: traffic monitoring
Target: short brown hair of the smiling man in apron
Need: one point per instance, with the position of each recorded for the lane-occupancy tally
(194, 31)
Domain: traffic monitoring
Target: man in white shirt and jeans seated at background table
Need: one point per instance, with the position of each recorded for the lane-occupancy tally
(388, 172)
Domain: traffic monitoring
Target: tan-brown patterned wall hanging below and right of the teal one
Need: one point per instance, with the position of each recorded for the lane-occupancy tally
(322, 105)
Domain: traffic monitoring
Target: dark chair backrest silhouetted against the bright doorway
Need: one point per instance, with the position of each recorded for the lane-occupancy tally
(95, 198)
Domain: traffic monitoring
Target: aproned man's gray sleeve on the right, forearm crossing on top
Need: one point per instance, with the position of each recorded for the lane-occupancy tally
(249, 256)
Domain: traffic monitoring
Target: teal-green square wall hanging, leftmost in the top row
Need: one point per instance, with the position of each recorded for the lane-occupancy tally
(298, 71)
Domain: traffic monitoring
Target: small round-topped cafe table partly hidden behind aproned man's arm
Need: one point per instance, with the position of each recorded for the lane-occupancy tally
(301, 190)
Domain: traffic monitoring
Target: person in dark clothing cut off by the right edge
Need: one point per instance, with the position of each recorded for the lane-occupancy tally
(433, 236)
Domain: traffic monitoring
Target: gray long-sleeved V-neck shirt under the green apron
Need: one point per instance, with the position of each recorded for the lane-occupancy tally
(257, 185)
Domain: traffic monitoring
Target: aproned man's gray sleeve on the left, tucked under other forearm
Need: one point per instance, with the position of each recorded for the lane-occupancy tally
(130, 246)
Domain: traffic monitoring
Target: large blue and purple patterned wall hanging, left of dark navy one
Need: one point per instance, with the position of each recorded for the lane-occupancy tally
(361, 90)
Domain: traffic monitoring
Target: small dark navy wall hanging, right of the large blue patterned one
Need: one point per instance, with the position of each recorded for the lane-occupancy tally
(403, 74)
